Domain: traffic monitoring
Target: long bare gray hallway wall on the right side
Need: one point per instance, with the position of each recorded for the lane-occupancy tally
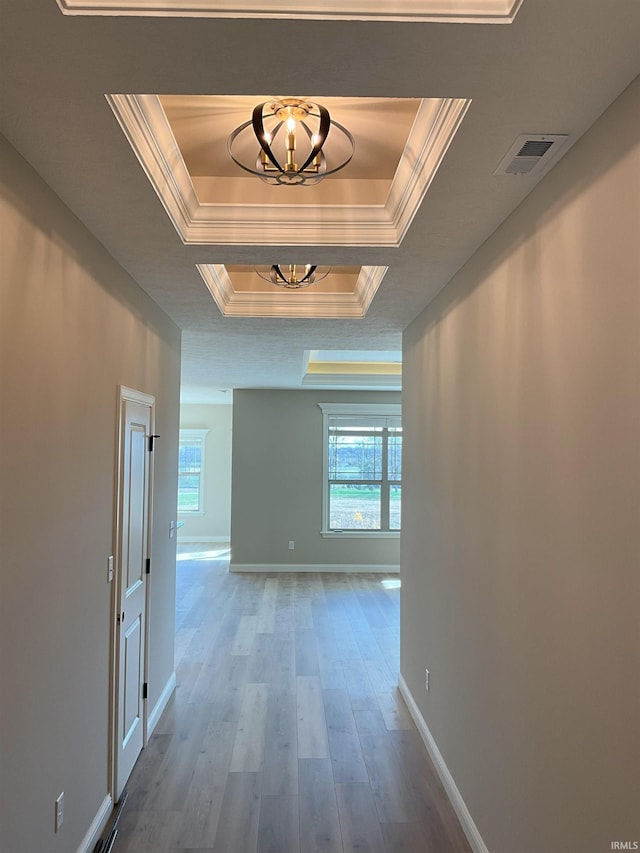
(521, 583)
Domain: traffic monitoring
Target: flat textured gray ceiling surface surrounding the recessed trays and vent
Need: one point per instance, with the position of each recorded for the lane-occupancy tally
(554, 70)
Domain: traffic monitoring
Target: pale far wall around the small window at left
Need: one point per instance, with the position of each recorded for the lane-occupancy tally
(215, 522)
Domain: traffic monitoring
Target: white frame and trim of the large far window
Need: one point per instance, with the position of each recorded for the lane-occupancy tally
(373, 410)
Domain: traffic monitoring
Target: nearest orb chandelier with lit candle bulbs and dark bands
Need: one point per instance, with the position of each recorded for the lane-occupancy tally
(291, 135)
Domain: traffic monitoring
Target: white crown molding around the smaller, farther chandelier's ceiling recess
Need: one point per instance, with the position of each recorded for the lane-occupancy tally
(290, 304)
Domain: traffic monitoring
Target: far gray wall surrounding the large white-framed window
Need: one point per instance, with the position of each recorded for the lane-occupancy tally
(276, 492)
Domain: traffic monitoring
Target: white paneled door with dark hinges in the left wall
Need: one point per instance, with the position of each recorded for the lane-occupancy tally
(131, 594)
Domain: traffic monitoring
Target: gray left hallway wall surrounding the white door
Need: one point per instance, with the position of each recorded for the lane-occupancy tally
(73, 327)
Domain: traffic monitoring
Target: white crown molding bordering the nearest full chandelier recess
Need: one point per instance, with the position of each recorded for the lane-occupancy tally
(147, 129)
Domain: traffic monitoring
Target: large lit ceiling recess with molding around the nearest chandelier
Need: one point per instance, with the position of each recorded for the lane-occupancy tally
(181, 142)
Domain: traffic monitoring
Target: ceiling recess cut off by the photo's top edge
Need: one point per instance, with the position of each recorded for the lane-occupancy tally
(447, 11)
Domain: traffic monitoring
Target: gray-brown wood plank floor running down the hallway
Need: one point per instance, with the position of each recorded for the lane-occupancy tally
(286, 733)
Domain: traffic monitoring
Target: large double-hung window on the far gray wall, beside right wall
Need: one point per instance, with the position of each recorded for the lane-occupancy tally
(362, 469)
